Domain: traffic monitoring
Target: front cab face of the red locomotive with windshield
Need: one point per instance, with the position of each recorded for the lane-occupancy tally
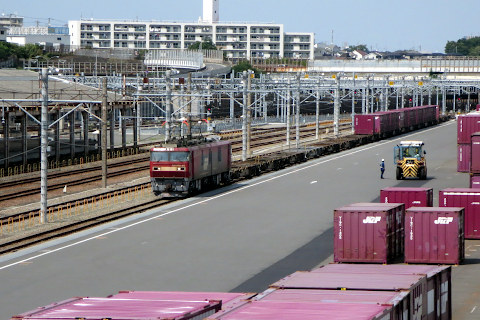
(170, 170)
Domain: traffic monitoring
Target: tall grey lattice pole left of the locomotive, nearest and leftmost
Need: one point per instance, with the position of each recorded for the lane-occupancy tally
(44, 145)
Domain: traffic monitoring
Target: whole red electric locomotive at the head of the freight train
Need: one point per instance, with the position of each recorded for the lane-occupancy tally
(179, 171)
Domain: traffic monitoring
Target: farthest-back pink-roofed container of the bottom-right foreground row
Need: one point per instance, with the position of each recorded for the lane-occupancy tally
(439, 282)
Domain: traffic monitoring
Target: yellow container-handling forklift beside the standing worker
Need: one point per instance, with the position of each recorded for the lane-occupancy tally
(409, 157)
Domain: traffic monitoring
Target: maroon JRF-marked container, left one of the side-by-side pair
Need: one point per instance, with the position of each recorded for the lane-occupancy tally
(365, 234)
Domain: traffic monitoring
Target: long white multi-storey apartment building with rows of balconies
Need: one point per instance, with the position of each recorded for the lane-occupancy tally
(237, 40)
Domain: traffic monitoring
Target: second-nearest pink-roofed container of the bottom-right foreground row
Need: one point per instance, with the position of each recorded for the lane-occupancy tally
(398, 301)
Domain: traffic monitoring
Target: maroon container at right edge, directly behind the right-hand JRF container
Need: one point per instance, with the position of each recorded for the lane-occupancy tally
(468, 199)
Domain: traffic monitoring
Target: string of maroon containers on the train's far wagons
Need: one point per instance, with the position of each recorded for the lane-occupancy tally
(396, 121)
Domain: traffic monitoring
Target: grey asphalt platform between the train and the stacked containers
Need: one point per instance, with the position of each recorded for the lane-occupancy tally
(241, 238)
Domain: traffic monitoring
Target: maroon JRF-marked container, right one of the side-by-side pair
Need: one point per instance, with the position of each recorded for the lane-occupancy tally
(434, 235)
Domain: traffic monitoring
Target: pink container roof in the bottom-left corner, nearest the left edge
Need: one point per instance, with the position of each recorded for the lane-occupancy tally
(123, 309)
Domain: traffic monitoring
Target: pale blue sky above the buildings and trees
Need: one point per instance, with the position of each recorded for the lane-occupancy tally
(385, 25)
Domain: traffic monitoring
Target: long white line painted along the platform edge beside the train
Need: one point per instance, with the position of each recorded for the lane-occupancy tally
(212, 198)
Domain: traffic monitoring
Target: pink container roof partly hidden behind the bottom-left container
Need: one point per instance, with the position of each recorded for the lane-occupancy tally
(229, 300)
